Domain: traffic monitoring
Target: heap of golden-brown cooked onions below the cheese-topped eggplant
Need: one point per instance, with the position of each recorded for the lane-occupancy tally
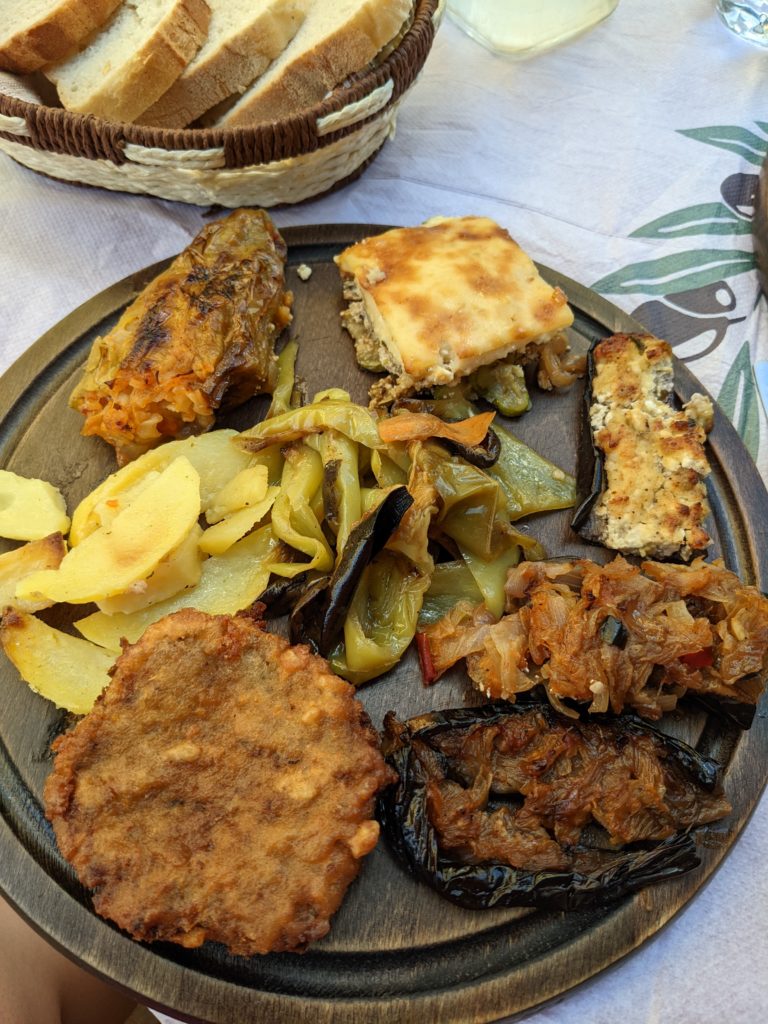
(614, 636)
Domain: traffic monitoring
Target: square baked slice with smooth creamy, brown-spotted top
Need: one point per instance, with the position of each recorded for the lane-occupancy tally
(434, 304)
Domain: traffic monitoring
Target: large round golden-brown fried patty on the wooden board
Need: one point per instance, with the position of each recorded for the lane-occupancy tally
(222, 789)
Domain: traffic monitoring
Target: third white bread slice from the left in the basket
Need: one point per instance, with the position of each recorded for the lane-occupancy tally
(244, 38)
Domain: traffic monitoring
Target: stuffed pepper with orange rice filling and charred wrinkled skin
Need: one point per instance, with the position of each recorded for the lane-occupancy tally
(200, 337)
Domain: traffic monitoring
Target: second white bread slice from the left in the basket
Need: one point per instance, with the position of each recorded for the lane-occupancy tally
(135, 60)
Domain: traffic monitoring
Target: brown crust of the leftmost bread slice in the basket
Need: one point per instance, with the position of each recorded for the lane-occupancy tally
(54, 37)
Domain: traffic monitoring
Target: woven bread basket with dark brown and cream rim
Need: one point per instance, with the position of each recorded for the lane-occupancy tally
(268, 164)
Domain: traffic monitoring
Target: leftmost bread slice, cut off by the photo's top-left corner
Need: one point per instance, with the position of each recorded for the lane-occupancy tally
(34, 33)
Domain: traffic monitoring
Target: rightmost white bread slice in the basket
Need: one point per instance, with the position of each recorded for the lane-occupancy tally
(337, 38)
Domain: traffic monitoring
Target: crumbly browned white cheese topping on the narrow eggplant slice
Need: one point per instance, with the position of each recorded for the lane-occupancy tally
(643, 462)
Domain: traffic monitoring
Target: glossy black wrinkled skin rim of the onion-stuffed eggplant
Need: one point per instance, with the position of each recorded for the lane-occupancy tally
(404, 810)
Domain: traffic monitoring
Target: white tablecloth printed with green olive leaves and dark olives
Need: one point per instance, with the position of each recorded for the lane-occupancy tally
(626, 160)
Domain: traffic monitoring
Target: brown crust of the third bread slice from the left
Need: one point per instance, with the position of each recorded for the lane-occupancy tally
(231, 69)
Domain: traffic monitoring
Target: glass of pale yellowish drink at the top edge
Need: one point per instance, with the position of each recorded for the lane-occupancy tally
(524, 28)
